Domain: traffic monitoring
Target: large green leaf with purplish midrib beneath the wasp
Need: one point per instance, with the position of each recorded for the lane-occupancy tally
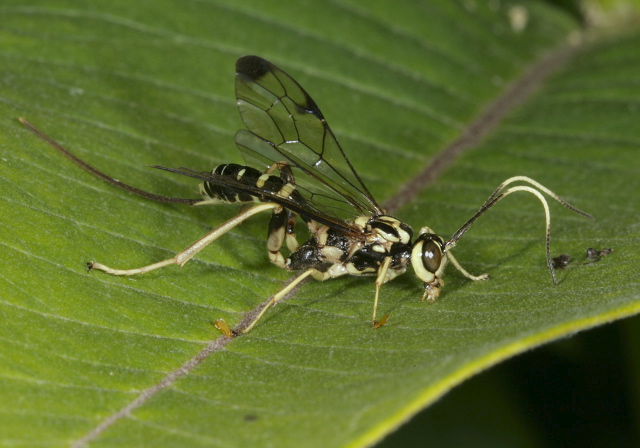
(110, 361)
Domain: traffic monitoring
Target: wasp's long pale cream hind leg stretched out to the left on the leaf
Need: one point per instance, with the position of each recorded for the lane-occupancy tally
(187, 254)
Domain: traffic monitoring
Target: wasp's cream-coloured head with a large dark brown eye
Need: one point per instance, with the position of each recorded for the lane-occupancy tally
(428, 257)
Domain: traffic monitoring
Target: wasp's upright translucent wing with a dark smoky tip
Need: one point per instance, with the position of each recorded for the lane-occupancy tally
(285, 124)
